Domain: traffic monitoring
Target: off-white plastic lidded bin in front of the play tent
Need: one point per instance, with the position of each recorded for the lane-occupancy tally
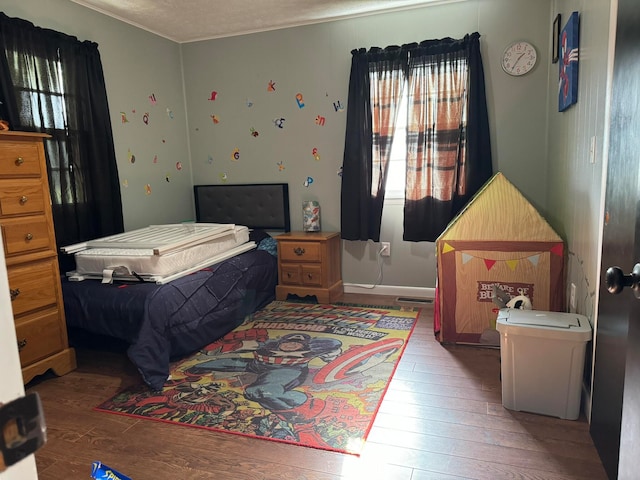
(542, 360)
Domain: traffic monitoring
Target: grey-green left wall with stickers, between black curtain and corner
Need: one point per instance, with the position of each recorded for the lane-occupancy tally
(137, 65)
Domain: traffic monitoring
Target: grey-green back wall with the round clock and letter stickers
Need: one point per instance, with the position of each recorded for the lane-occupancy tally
(314, 61)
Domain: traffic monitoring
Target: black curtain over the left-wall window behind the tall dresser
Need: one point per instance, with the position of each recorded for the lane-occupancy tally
(53, 83)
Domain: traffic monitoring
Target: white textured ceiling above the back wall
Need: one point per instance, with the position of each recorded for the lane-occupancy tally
(193, 20)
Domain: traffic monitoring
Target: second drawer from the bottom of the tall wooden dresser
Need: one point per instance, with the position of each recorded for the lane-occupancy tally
(33, 285)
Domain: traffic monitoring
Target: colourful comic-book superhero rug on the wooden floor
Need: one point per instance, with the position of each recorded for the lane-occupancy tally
(305, 374)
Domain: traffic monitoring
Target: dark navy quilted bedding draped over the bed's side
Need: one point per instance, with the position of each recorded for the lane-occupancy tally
(163, 322)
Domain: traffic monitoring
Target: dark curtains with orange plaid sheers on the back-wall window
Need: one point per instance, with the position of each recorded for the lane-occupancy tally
(448, 146)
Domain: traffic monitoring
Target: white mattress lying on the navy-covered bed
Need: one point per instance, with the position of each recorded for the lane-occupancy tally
(147, 262)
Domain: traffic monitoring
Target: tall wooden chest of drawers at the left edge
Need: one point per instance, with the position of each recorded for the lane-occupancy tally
(32, 261)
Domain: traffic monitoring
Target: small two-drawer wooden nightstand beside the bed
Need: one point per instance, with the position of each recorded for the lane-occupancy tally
(309, 263)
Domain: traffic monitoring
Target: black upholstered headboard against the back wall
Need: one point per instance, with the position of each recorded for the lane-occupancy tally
(258, 206)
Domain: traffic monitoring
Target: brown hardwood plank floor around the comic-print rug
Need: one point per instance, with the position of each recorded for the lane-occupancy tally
(442, 418)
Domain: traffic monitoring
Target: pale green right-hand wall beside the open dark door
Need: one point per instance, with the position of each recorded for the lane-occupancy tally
(576, 175)
